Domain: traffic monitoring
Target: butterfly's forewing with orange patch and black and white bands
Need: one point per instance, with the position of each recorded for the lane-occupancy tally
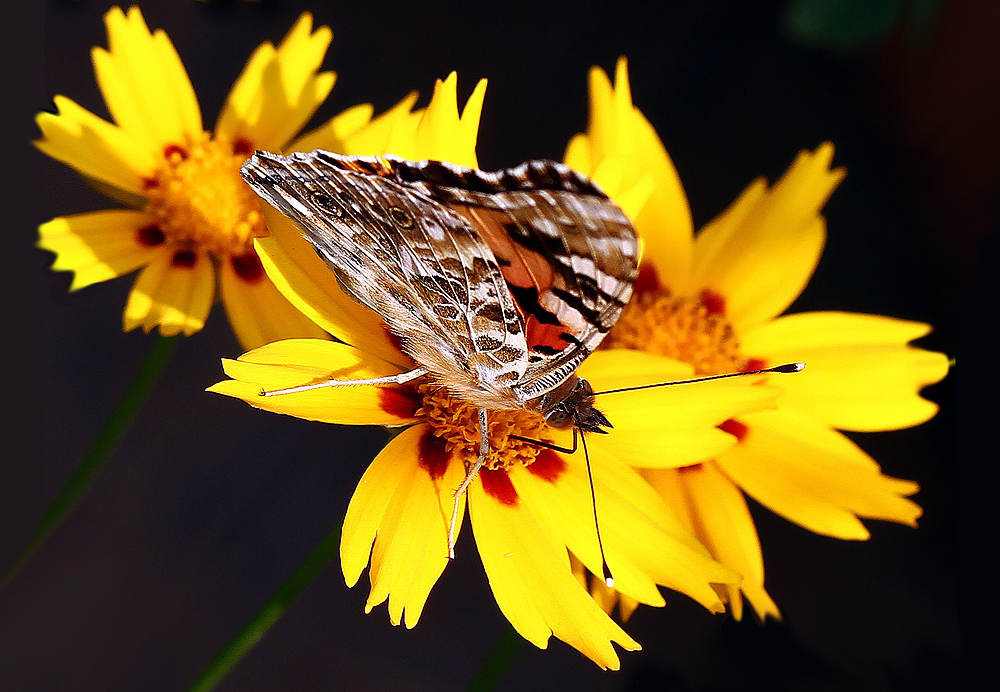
(569, 254)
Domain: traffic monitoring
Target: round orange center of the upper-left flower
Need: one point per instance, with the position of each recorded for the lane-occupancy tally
(200, 199)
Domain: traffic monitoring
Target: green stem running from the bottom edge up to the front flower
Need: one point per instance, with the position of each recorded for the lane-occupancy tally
(261, 623)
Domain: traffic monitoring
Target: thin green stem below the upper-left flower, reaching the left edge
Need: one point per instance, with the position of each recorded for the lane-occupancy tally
(99, 450)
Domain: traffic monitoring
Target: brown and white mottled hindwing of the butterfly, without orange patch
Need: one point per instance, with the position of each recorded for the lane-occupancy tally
(418, 264)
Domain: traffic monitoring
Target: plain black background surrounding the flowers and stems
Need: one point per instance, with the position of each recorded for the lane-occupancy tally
(206, 506)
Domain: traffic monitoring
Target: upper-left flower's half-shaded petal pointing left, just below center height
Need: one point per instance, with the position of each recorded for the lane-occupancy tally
(97, 246)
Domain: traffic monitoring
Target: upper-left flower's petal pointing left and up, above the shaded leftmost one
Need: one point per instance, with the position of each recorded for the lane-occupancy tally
(96, 148)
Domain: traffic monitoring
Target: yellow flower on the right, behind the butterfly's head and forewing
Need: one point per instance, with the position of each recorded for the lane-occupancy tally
(713, 300)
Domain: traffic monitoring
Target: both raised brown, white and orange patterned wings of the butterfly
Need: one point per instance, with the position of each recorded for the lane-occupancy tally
(498, 283)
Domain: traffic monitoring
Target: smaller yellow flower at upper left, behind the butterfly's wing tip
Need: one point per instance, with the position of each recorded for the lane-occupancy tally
(192, 219)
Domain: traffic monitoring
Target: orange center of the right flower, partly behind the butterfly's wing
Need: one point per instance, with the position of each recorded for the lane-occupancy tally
(692, 329)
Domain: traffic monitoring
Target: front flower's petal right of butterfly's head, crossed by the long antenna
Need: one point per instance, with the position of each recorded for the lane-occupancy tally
(665, 426)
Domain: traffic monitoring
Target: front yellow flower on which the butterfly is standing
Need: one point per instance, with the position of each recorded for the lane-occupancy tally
(530, 507)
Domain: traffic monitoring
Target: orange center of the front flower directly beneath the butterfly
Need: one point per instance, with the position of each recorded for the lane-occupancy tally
(457, 424)
